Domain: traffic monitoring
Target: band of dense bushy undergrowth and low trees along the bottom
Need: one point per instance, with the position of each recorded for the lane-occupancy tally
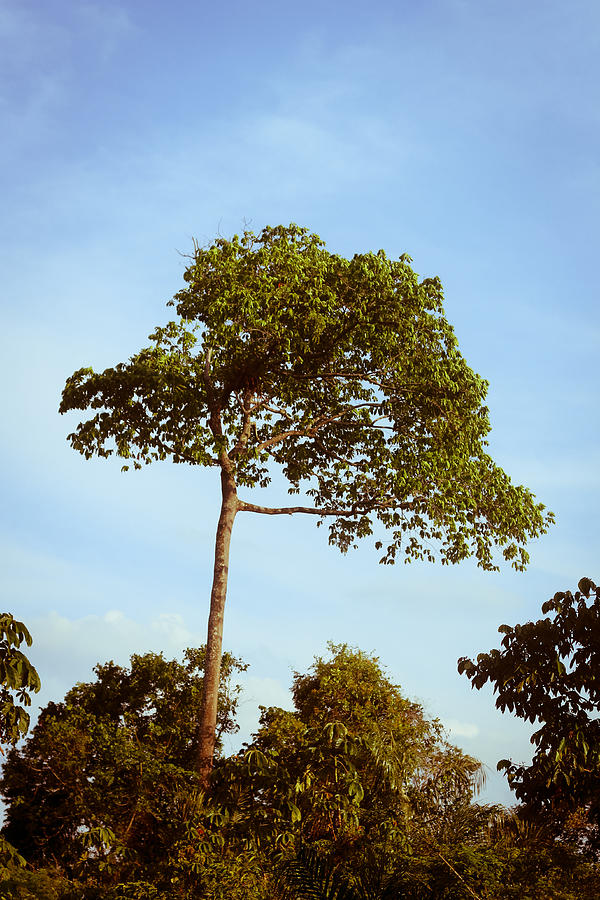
(355, 795)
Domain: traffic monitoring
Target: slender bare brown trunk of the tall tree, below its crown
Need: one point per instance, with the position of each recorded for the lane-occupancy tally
(206, 733)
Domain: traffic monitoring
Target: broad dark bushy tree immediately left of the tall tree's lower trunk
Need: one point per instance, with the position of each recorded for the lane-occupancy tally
(95, 785)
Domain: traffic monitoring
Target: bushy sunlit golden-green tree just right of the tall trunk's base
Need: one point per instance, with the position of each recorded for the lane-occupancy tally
(354, 785)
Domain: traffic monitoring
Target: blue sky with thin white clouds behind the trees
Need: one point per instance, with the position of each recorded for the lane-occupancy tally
(463, 132)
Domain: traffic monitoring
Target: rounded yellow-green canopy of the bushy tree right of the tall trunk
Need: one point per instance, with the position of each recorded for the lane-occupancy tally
(351, 765)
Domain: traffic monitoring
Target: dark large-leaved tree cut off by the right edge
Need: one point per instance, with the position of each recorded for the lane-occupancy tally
(549, 672)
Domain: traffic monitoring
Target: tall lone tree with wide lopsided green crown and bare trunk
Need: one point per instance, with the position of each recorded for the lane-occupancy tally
(346, 374)
